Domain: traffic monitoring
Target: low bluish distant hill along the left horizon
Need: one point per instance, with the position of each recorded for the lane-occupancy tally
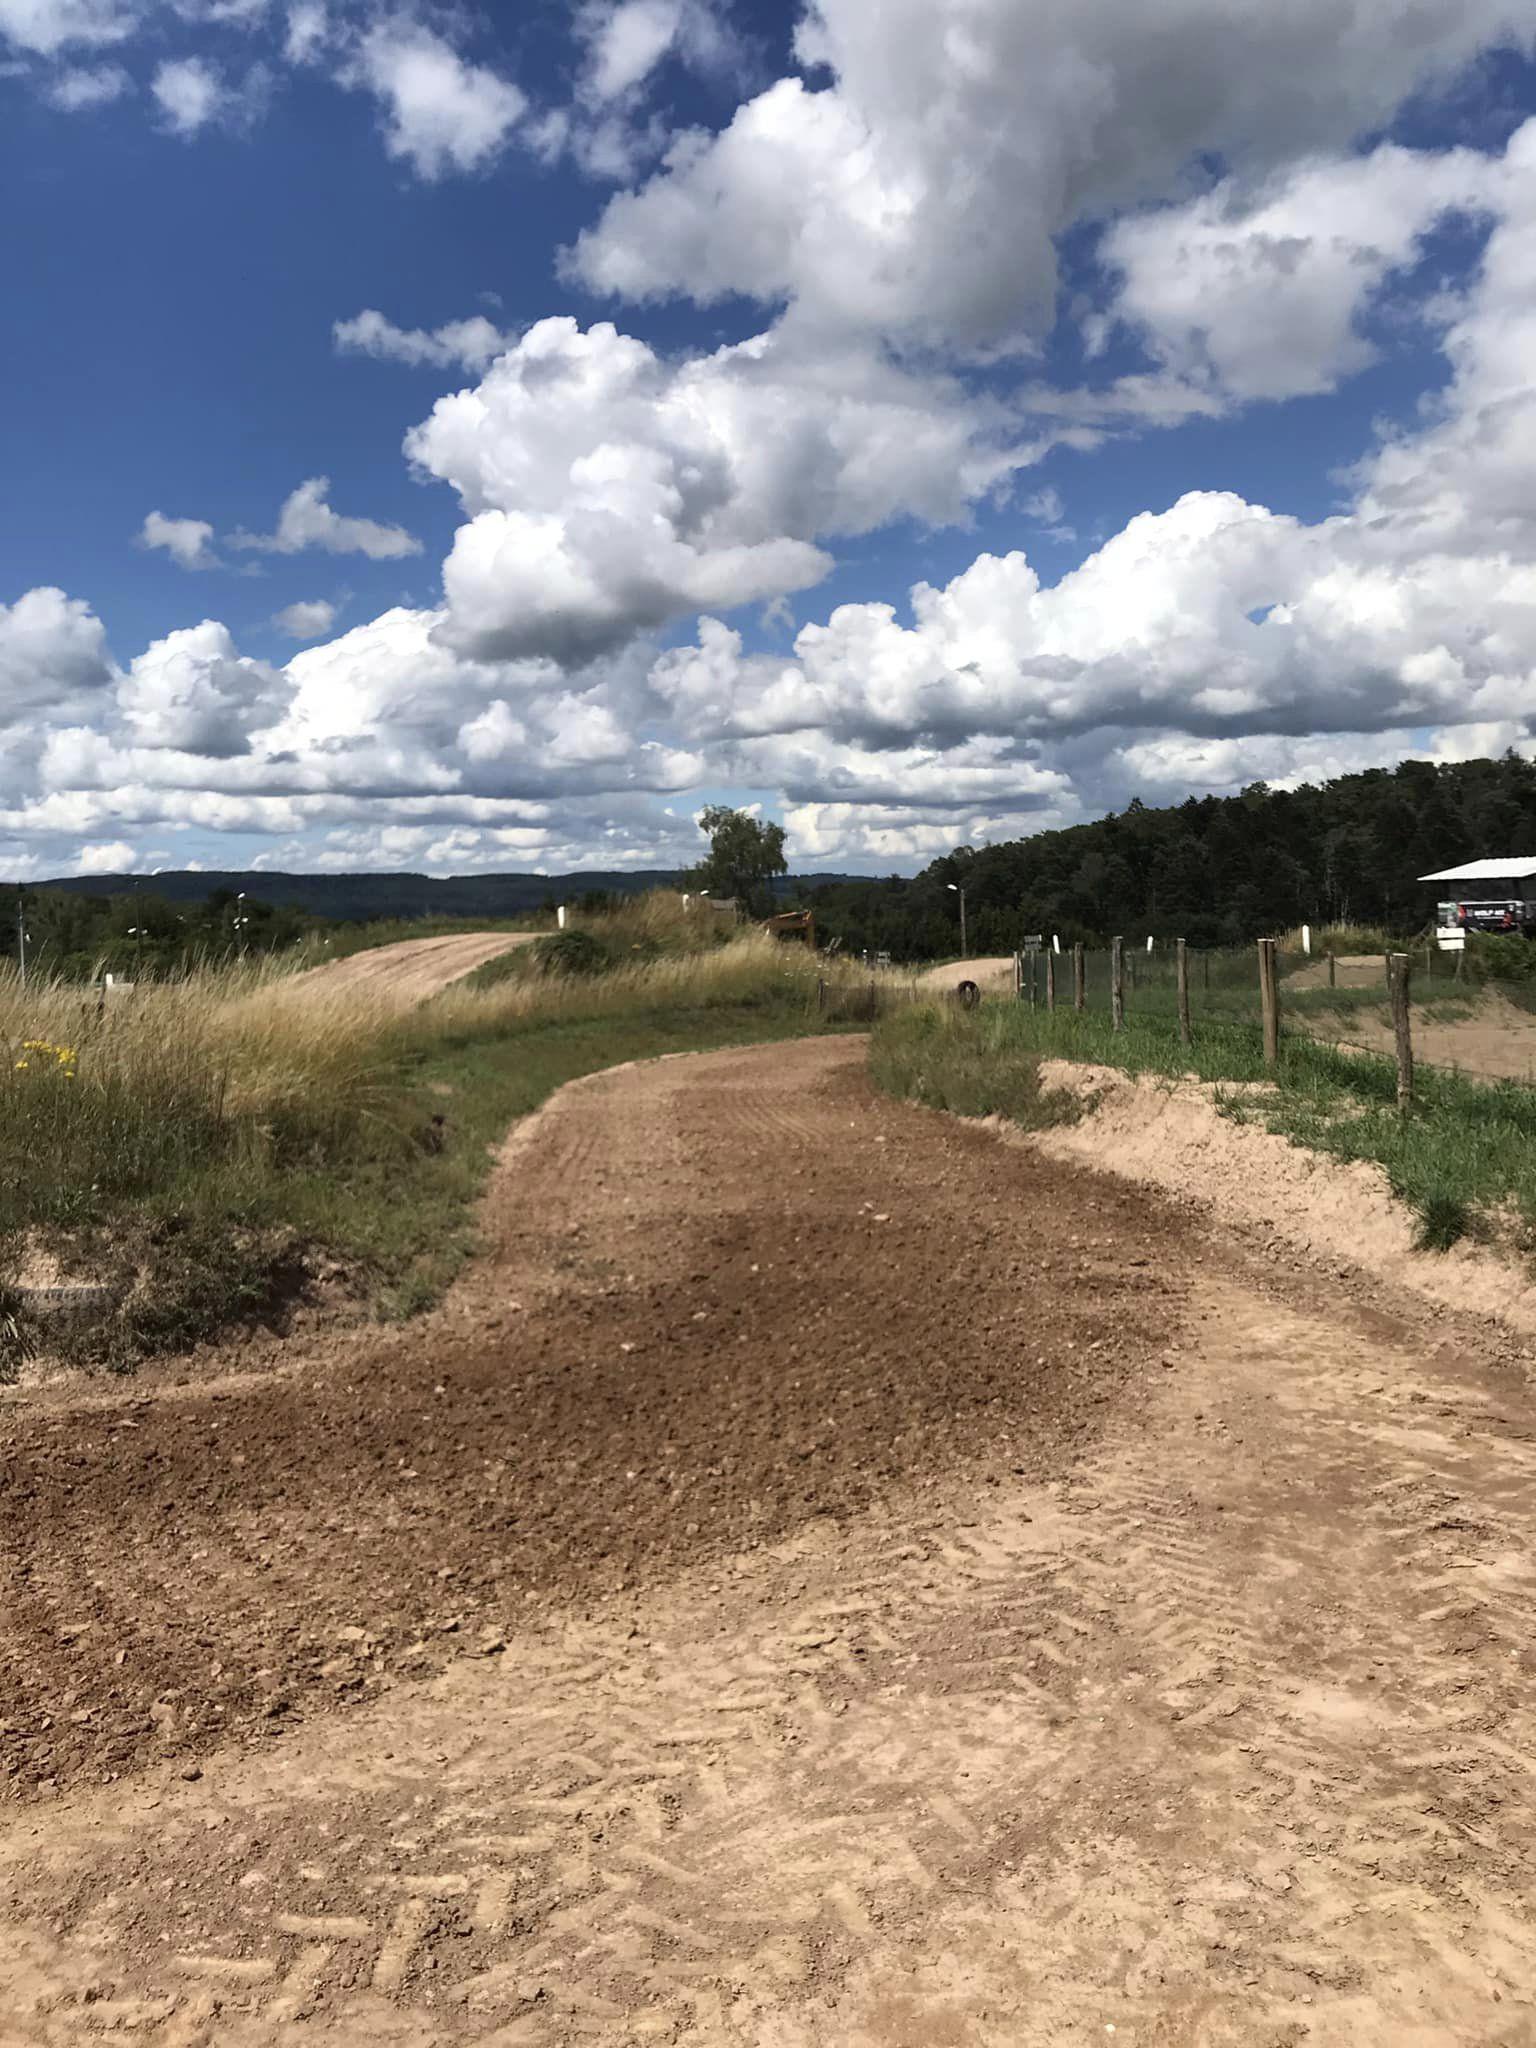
(364, 898)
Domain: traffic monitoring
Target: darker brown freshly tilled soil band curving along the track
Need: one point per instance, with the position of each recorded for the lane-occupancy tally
(728, 1295)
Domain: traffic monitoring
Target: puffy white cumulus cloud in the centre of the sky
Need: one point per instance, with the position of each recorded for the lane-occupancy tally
(611, 490)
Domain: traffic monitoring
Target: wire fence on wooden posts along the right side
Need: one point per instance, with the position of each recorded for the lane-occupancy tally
(1457, 1021)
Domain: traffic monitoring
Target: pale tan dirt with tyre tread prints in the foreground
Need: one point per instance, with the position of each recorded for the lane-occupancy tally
(1218, 1738)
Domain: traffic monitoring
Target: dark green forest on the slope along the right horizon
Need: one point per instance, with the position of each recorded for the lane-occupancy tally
(1215, 871)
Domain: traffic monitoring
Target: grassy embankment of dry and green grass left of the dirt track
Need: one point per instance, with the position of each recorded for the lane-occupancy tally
(230, 1136)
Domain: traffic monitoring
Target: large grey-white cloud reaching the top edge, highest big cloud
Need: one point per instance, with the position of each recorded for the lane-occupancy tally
(919, 196)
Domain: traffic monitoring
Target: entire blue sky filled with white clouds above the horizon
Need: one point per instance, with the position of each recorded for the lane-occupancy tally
(1181, 353)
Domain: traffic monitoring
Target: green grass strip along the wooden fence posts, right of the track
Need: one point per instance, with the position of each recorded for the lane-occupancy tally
(1463, 1156)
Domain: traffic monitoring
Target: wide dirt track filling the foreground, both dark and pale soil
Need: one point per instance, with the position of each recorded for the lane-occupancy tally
(871, 1588)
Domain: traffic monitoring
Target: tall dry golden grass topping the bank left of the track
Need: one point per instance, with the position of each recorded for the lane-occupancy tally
(245, 1070)
